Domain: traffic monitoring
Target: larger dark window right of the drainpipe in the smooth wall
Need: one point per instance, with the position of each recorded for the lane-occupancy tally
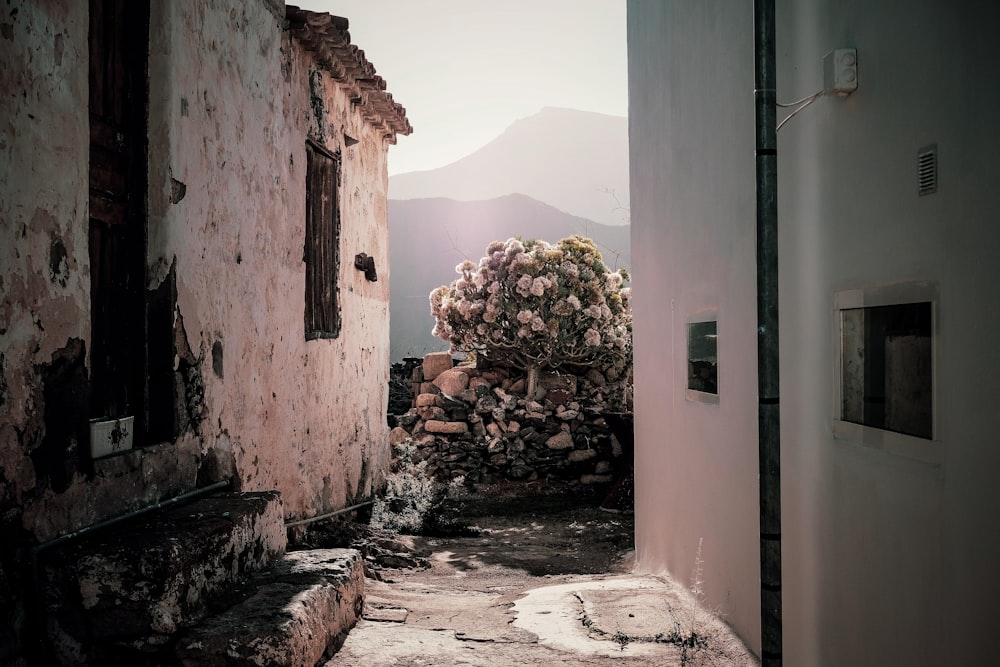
(886, 367)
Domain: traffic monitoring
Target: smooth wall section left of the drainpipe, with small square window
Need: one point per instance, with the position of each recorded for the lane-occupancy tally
(693, 253)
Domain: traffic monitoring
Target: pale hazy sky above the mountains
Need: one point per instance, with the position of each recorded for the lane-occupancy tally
(466, 69)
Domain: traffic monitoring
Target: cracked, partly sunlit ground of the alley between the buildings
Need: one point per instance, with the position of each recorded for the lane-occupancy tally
(544, 577)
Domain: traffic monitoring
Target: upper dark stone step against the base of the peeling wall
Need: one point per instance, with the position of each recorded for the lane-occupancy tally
(149, 577)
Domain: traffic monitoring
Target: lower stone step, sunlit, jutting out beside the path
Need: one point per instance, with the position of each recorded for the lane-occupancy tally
(297, 615)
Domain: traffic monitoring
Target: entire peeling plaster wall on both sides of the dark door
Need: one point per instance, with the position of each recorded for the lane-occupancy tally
(230, 109)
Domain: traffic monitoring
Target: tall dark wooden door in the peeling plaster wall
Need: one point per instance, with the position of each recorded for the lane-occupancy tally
(119, 37)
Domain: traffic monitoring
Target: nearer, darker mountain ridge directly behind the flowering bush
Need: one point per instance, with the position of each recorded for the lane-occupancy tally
(429, 237)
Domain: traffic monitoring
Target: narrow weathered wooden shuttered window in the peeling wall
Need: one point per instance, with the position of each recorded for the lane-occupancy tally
(322, 249)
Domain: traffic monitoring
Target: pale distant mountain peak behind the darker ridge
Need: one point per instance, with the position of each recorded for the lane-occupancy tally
(574, 160)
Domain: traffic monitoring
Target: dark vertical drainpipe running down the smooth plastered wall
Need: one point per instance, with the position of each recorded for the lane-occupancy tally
(767, 332)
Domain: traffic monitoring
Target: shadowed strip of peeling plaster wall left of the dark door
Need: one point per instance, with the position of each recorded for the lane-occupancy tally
(44, 282)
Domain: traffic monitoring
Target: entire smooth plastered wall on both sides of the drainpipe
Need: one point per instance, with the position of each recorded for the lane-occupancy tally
(888, 557)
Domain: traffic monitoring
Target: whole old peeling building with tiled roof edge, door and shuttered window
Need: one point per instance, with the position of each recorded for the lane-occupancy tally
(194, 272)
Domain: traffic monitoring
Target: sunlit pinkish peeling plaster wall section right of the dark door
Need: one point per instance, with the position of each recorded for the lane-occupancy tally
(229, 121)
